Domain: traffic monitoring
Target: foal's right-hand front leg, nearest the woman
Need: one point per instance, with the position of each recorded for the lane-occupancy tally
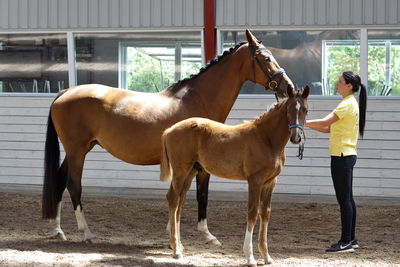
(265, 213)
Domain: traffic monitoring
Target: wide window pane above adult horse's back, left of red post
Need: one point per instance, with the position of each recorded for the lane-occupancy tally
(146, 61)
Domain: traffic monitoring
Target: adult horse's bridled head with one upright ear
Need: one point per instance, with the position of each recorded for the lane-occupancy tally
(266, 69)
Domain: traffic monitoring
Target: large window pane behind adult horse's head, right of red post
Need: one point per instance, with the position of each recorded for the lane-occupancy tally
(300, 53)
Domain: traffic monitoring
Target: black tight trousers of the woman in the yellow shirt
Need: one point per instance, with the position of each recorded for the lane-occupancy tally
(342, 176)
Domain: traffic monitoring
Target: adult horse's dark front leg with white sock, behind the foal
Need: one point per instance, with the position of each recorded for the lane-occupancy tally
(202, 181)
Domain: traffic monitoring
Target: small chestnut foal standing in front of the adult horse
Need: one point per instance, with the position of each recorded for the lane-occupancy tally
(252, 151)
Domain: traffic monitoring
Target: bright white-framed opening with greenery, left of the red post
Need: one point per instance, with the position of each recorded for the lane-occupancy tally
(153, 66)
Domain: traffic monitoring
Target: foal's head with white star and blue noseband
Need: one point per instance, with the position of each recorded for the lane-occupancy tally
(297, 109)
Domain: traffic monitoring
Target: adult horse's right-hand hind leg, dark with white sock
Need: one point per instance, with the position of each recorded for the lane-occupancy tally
(74, 186)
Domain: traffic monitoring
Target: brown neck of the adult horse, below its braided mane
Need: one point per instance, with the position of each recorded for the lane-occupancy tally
(219, 86)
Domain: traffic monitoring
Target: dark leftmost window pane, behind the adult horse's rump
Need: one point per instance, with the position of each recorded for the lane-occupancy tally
(33, 63)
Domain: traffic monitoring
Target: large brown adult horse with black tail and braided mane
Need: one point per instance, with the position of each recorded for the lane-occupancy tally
(129, 124)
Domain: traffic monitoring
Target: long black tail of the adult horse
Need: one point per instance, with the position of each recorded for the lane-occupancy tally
(52, 182)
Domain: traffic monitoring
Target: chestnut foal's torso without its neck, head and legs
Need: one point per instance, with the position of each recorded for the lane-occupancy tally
(226, 151)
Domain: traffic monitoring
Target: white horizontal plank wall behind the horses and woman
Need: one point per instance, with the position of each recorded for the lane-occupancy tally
(22, 133)
